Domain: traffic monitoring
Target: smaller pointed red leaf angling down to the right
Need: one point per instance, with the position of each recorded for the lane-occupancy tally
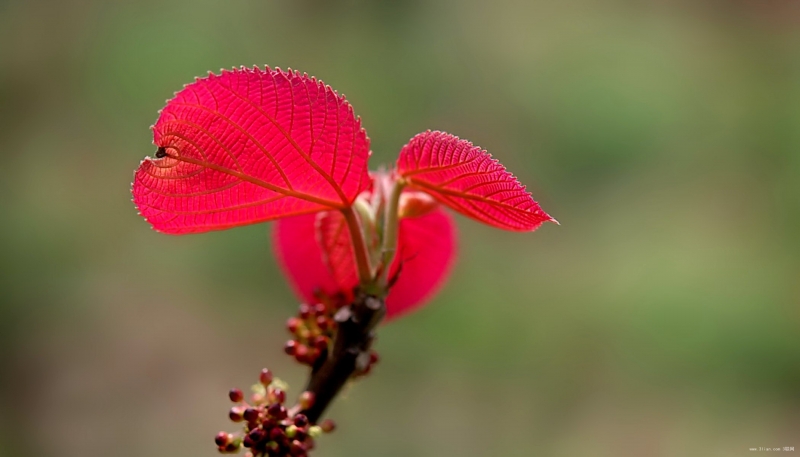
(467, 179)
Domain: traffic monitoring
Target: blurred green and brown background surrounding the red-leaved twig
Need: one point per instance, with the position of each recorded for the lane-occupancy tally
(660, 319)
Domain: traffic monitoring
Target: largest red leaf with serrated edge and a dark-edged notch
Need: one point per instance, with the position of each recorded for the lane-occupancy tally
(249, 146)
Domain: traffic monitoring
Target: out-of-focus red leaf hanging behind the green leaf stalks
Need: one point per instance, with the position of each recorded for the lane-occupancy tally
(426, 250)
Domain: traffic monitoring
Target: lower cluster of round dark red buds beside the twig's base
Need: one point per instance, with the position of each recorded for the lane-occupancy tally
(270, 429)
